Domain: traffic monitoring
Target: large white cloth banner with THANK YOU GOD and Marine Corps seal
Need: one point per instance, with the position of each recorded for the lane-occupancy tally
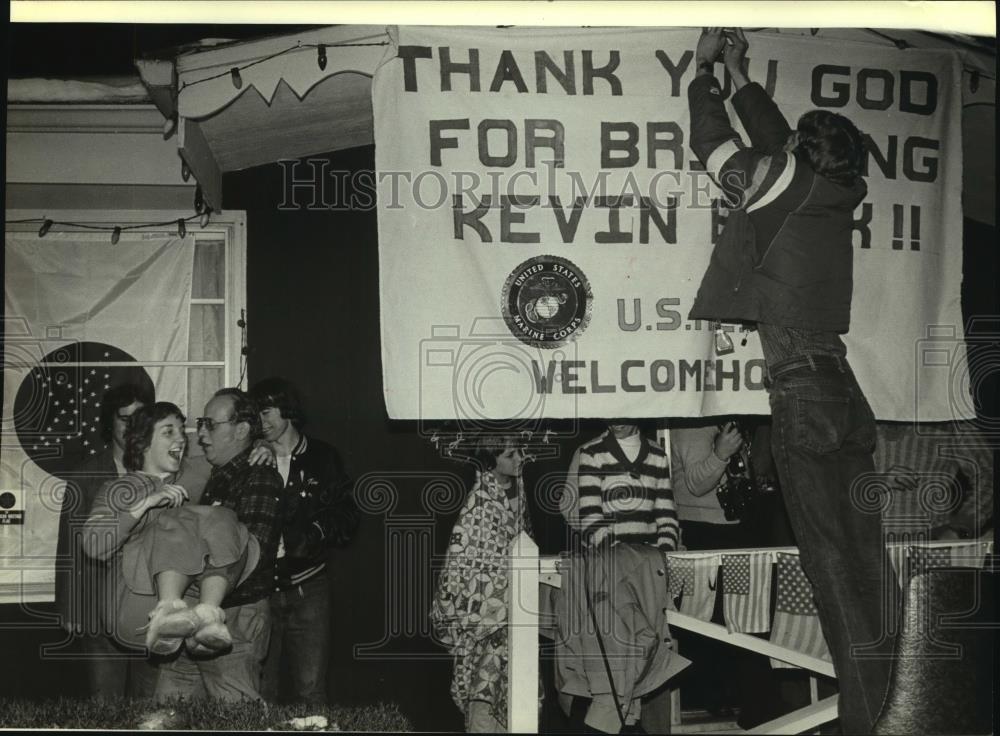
(543, 225)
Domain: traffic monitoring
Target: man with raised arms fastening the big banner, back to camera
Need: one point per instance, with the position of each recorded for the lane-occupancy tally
(784, 262)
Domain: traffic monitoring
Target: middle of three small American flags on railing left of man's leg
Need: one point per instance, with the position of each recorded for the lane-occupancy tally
(746, 592)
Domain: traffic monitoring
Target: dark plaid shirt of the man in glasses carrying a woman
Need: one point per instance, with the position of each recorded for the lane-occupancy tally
(254, 493)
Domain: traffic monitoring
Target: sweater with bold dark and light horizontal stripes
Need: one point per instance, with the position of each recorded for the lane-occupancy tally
(629, 500)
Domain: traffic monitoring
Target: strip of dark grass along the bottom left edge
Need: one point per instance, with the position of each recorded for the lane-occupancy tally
(200, 715)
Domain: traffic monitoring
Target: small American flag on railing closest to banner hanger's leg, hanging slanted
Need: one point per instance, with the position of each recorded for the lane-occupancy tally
(796, 618)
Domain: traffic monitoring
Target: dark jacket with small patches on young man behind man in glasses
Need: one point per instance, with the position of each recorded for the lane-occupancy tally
(318, 511)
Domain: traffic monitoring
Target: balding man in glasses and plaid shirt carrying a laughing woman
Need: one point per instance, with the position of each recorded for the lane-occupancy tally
(226, 434)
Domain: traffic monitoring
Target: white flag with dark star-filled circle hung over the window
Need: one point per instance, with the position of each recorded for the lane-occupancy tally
(80, 316)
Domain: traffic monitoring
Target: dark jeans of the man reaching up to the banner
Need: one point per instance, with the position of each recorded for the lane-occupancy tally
(823, 437)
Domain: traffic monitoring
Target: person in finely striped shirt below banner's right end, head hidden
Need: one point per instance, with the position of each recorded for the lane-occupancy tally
(939, 479)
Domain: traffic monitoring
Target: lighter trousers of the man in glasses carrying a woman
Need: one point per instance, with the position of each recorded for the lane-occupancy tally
(232, 676)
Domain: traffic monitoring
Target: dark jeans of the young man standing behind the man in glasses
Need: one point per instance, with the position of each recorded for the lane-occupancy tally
(300, 643)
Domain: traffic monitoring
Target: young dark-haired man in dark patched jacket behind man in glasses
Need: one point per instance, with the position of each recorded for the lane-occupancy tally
(319, 513)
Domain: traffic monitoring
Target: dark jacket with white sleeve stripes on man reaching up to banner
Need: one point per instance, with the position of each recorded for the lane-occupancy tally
(784, 256)
